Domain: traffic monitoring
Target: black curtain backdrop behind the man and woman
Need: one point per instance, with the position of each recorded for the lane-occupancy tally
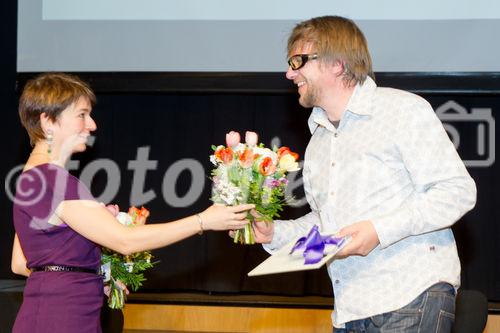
(183, 126)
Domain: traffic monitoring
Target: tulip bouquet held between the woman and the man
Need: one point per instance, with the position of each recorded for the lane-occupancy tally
(251, 173)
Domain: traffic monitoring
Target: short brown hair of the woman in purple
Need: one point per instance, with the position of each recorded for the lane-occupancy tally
(49, 93)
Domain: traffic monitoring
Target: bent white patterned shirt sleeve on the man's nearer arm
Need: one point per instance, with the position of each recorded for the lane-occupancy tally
(443, 190)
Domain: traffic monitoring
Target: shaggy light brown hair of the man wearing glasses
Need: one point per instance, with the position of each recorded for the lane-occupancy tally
(335, 38)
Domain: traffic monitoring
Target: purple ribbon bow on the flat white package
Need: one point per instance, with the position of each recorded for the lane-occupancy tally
(313, 246)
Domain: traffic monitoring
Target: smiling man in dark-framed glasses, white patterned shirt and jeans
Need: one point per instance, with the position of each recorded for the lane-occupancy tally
(380, 168)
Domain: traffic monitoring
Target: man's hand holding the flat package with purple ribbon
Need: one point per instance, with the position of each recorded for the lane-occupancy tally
(364, 239)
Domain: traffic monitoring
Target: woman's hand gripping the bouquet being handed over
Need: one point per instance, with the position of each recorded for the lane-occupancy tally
(220, 217)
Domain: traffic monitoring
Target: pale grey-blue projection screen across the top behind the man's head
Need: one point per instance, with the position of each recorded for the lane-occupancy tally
(250, 36)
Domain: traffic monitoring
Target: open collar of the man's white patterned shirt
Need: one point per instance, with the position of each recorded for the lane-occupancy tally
(357, 104)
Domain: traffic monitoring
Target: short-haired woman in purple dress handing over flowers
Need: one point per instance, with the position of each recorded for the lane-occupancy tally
(59, 226)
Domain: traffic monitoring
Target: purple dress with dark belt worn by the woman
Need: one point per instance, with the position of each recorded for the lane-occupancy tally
(55, 301)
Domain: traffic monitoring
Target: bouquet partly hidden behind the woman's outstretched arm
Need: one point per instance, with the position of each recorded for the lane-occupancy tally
(124, 271)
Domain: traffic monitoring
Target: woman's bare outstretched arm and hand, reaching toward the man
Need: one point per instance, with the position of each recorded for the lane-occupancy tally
(93, 221)
